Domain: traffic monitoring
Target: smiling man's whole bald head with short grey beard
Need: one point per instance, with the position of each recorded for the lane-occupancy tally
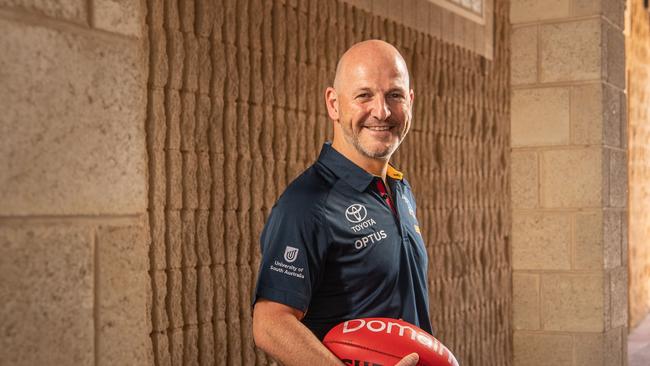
(371, 102)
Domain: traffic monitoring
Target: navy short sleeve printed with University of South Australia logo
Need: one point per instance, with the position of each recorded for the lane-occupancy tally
(293, 245)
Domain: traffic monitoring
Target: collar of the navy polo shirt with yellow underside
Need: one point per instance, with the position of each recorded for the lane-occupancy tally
(345, 169)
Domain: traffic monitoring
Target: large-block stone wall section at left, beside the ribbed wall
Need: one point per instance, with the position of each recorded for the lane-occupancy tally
(73, 184)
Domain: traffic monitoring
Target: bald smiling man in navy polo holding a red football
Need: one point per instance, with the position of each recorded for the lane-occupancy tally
(343, 242)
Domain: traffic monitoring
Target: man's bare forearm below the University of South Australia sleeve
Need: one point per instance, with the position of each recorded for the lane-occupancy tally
(289, 341)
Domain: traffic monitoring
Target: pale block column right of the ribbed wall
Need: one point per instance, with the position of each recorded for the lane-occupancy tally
(569, 182)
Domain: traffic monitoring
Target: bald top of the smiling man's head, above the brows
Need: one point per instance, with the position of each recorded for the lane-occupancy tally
(374, 55)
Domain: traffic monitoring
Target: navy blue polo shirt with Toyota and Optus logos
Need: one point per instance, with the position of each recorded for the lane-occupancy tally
(334, 249)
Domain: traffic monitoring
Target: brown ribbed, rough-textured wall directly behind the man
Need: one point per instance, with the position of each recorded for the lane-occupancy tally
(235, 111)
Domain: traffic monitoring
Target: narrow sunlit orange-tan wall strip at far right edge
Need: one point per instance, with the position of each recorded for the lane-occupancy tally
(638, 81)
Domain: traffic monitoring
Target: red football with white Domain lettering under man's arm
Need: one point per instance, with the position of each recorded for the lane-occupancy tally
(383, 342)
